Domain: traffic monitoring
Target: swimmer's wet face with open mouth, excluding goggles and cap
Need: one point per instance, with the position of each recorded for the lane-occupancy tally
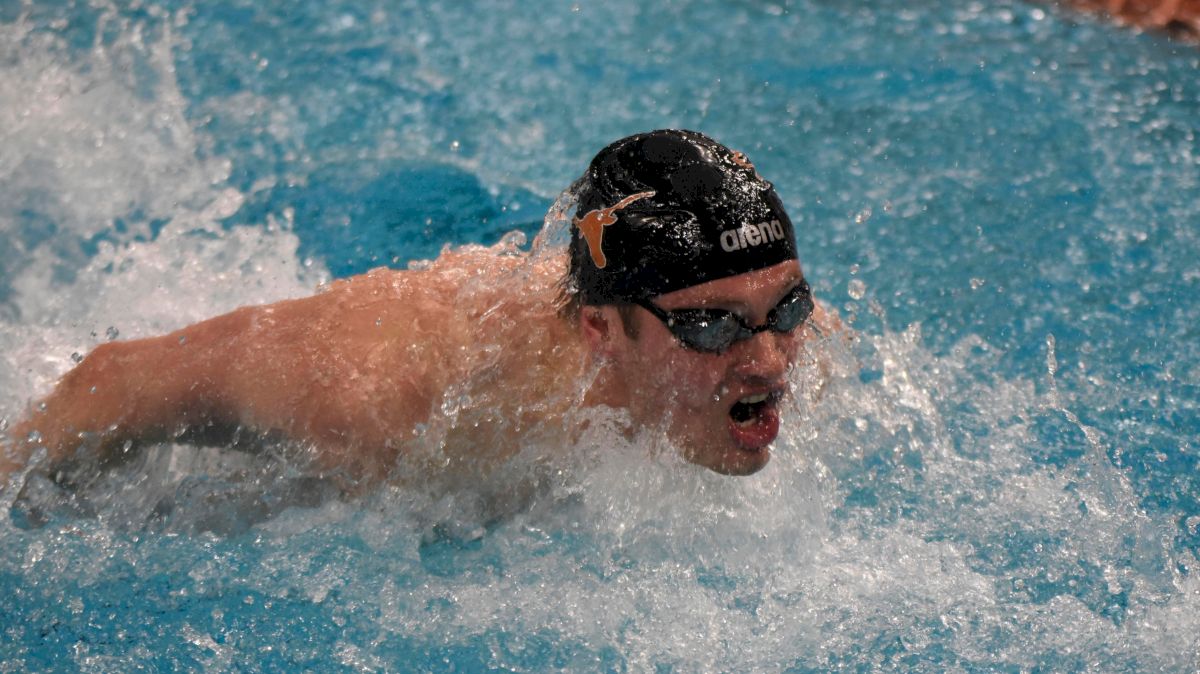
(721, 410)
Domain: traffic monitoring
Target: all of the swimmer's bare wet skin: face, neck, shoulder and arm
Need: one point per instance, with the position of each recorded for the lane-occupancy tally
(452, 369)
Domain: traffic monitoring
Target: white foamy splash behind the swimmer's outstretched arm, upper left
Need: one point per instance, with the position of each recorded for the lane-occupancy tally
(130, 243)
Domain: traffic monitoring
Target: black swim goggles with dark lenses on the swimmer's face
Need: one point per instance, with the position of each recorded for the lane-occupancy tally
(713, 332)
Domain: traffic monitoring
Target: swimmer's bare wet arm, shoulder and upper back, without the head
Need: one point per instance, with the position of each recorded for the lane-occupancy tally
(362, 374)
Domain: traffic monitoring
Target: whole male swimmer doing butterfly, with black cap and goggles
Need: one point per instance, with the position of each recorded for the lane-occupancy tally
(680, 304)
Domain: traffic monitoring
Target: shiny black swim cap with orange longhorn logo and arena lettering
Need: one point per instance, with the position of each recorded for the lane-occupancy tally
(670, 209)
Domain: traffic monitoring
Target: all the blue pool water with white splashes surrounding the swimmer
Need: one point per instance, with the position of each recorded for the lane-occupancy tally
(999, 197)
